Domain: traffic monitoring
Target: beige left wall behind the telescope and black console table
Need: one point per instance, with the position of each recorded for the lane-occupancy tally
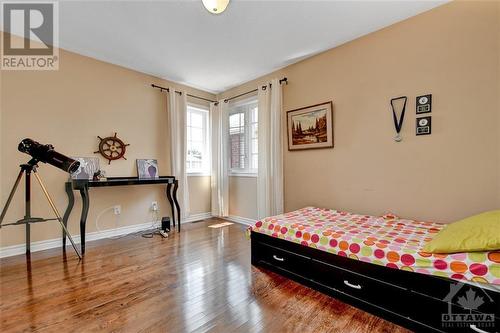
(69, 108)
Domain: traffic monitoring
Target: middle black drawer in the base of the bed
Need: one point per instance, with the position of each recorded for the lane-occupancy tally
(366, 289)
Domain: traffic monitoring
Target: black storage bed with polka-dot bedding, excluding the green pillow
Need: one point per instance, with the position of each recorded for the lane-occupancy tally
(376, 264)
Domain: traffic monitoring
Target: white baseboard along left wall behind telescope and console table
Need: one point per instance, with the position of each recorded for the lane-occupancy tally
(8, 251)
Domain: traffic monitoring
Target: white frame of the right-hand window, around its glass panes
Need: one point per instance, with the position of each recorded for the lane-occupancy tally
(233, 109)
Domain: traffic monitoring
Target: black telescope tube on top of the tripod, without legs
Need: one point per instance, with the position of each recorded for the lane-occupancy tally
(47, 154)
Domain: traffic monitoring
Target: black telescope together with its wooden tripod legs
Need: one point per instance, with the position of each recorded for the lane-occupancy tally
(46, 154)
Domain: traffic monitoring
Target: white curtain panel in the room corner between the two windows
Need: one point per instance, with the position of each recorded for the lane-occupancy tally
(219, 129)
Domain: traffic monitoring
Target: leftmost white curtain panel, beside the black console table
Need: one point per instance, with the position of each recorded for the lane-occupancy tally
(177, 112)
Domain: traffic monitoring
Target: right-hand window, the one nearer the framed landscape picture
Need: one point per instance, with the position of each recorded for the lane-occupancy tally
(243, 138)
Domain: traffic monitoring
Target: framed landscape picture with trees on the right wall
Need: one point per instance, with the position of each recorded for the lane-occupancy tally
(310, 127)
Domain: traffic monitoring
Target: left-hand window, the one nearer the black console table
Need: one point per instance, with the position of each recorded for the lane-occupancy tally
(198, 154)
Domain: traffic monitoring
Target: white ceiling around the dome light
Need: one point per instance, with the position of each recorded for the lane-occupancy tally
(182, 42)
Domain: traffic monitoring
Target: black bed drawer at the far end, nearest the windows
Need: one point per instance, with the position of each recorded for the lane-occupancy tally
(274, 256)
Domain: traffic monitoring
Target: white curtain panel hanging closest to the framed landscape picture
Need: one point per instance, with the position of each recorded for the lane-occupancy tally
(270, 174)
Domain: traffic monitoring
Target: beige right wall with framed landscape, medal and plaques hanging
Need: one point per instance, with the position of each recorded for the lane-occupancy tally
(451, 52)
